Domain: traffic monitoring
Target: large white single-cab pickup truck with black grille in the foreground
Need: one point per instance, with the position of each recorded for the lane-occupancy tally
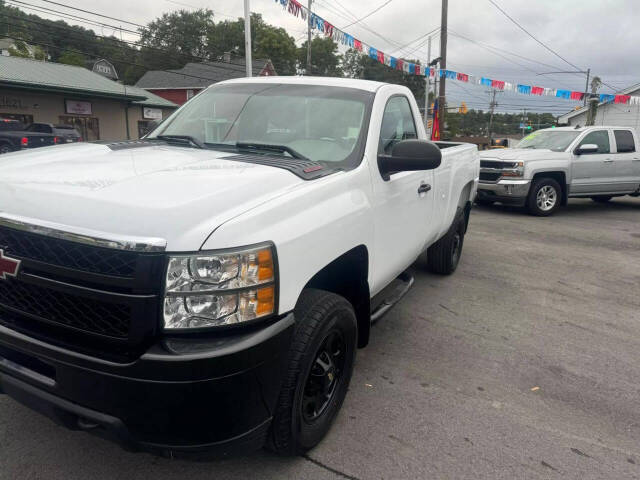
(207, 287)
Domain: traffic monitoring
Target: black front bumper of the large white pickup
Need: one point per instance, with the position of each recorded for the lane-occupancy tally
(183, 394)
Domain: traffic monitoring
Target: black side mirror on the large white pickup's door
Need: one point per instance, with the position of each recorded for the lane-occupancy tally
(409, 156)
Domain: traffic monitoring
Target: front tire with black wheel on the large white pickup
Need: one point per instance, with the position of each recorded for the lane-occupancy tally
(326, 334)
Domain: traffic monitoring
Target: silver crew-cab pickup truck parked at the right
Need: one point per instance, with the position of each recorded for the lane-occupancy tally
(551, 165)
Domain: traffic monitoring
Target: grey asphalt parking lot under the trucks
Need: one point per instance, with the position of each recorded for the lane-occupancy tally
(523, 364)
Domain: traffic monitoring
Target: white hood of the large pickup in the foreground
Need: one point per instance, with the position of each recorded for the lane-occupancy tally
(175, 193)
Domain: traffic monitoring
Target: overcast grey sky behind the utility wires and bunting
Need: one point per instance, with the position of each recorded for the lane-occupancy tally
(603, 36)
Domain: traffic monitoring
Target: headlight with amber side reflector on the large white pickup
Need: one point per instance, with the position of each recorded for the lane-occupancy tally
(219, 288)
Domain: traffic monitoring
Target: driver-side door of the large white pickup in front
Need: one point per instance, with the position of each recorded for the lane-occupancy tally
(403, 204)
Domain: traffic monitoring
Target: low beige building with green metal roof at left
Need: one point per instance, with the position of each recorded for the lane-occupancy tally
(99, 108)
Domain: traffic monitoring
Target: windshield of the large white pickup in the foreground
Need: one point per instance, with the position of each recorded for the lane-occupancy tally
(319, 123)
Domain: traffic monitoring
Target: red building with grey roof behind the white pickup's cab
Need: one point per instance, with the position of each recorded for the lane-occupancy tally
(180, 85)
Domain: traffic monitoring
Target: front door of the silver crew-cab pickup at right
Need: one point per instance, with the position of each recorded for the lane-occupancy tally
(594, 173)
